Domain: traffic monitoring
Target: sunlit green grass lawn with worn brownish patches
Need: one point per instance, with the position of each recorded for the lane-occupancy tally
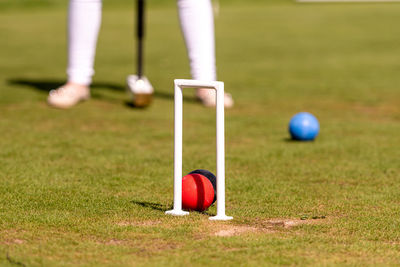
(89, 186)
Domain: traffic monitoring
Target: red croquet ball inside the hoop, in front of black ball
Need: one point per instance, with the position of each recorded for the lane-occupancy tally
(197, 192)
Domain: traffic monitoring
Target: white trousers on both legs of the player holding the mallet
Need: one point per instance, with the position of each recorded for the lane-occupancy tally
(84, 20)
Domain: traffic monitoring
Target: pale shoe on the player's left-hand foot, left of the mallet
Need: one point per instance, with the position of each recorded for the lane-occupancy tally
(68, 96)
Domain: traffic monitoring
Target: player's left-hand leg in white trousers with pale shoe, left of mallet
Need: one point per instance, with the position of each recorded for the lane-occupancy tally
(84, 20)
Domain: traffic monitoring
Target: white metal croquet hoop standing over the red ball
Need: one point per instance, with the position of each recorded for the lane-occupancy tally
(220, 145)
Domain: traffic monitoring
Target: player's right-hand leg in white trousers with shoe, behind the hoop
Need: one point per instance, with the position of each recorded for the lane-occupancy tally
(197, 24)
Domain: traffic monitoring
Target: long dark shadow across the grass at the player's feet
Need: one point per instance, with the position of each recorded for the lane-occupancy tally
(45, 85)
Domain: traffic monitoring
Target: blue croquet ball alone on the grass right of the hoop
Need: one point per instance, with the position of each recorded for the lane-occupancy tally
(303, 127)
